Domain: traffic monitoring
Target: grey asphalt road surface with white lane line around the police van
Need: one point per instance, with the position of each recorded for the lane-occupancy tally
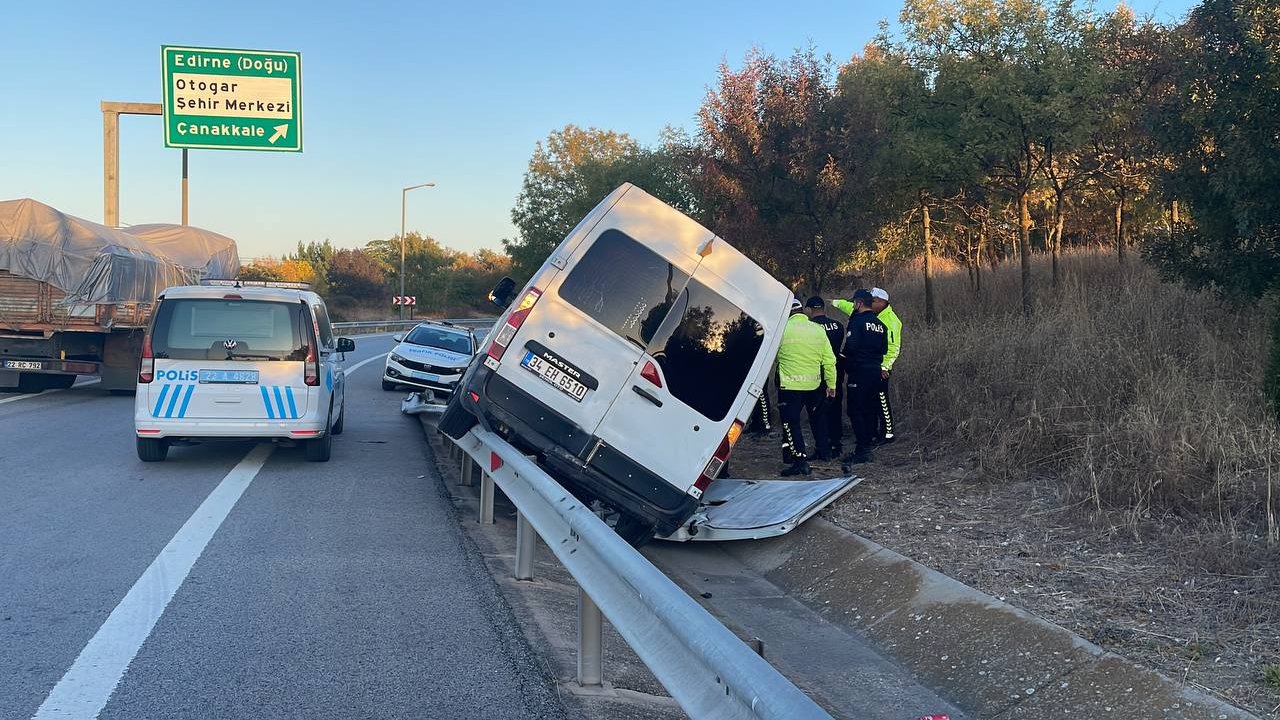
(340, 590)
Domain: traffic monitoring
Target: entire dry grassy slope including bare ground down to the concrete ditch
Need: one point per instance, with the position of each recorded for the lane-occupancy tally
(1108, 464)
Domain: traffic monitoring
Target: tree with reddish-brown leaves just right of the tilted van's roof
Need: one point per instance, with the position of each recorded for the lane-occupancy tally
(785, 166)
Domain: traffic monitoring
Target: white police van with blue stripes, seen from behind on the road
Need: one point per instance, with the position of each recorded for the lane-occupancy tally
(240, 359)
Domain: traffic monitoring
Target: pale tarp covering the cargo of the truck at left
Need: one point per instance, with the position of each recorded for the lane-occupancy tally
(97, 265)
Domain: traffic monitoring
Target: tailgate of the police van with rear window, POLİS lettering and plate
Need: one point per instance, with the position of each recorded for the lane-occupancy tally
(230, 359)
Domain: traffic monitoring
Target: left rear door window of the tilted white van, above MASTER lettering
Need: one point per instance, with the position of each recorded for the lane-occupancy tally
(624, 286)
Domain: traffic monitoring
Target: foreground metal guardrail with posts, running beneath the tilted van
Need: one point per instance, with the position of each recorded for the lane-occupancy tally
(705, 667)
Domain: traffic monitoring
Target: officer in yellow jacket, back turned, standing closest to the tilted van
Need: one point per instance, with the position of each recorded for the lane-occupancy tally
(807, 379)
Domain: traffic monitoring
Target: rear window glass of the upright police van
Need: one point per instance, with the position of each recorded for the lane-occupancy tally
(230, 330)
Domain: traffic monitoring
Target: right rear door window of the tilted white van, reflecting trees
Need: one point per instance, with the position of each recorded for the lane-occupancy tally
(707, 350)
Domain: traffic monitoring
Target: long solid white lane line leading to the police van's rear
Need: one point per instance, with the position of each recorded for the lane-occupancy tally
(88, 686)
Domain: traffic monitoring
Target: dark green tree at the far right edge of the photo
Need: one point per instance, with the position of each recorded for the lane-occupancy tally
(1220, 125)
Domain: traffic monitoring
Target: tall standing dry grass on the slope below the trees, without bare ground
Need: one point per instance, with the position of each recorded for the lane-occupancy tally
(1135, 394)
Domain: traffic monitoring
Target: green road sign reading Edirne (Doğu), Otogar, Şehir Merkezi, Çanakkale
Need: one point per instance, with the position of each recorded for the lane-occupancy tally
(221, 99)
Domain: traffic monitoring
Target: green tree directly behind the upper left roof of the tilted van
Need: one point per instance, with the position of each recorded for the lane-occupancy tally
(570, 174)
